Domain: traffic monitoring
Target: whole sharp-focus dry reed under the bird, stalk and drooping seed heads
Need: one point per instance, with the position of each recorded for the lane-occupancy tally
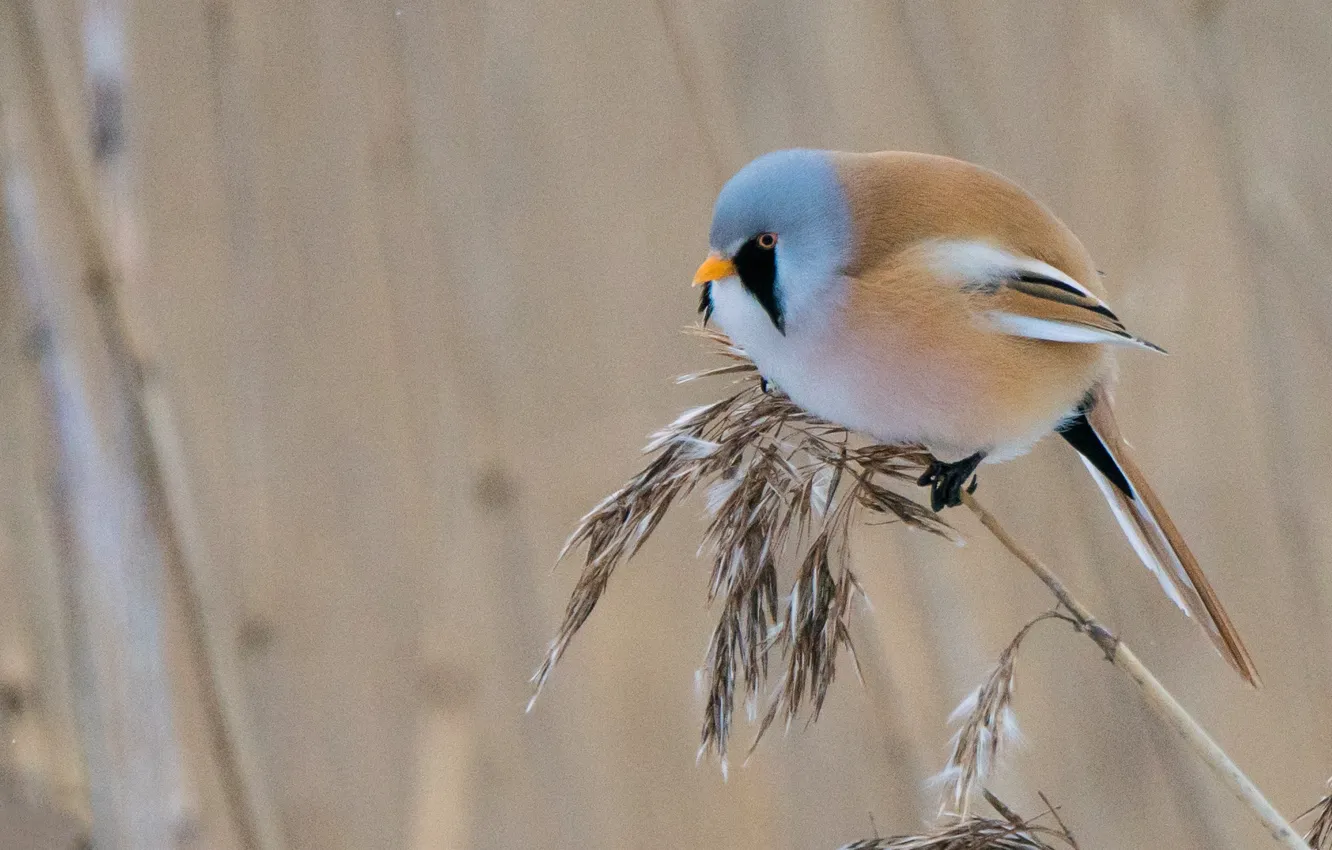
(783, 488)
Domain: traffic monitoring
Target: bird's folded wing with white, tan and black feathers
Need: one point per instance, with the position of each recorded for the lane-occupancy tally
(1028, 298)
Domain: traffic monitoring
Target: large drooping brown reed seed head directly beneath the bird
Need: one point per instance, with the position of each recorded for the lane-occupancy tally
(783, 487)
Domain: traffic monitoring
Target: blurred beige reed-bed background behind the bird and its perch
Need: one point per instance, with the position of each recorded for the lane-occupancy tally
(322, 323)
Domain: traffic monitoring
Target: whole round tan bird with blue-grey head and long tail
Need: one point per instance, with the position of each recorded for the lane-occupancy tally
(921, 299)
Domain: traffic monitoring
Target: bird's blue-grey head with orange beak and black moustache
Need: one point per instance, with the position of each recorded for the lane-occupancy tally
(783, 224)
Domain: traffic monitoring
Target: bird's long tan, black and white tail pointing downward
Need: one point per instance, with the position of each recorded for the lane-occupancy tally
(1149, 528)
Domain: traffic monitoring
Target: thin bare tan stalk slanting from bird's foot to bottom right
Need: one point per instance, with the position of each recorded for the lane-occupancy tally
(1153, 691)
